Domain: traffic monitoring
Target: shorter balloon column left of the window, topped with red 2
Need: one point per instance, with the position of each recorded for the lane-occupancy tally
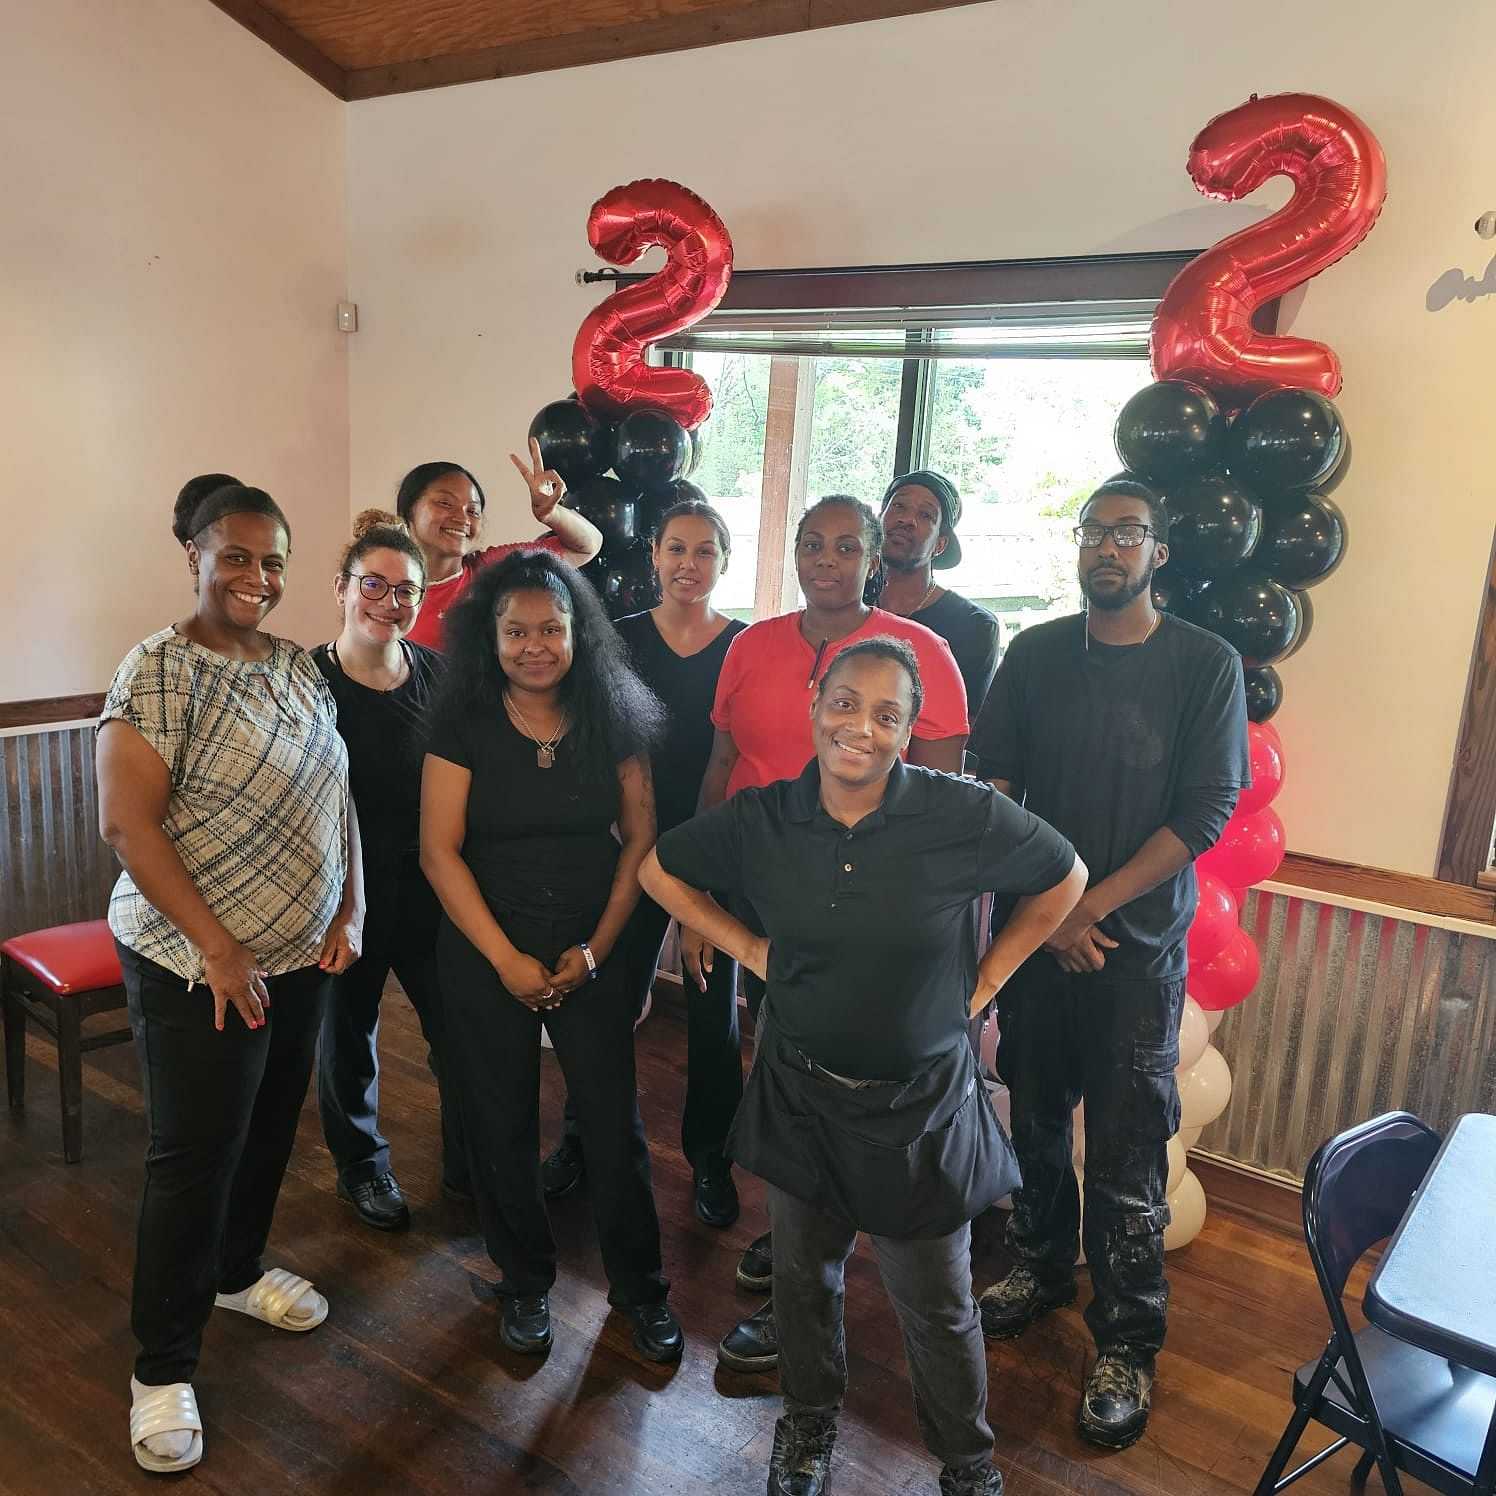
(626, 415)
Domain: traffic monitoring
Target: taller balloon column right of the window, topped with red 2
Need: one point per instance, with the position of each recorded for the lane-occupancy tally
(1242, 441)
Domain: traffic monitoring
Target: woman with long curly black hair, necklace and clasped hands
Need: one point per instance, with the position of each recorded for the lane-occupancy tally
(539, 749)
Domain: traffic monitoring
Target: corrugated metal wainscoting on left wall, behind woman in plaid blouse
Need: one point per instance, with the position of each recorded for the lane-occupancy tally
(56, 868)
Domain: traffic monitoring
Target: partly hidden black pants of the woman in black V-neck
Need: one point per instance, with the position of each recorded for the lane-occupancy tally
(714, 1073)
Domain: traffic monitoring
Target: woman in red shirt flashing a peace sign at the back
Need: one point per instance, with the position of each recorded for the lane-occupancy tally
(444, 505)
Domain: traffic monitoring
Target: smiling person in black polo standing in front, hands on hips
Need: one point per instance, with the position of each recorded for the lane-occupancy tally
(865, 1109)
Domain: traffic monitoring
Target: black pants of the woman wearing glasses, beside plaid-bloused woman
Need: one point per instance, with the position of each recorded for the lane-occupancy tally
(400, 936)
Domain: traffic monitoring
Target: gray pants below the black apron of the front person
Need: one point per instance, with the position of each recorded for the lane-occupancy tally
(930, 1284)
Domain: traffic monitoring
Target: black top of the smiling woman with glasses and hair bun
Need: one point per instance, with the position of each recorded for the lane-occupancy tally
(385, 734)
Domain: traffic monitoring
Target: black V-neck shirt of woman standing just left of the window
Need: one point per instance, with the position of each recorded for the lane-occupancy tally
(687, 684)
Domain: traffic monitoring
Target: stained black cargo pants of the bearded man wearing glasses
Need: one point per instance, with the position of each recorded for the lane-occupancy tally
(1115, 1043)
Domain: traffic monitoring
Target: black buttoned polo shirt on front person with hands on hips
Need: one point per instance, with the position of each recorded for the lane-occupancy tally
(871, 960)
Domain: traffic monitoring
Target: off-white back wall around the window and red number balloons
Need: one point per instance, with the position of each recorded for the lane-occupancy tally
(1014, 129)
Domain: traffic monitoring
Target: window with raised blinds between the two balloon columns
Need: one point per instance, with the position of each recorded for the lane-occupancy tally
(1014, 400)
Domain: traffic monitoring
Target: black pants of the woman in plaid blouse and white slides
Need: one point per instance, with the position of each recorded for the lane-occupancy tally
(222, 1112)
